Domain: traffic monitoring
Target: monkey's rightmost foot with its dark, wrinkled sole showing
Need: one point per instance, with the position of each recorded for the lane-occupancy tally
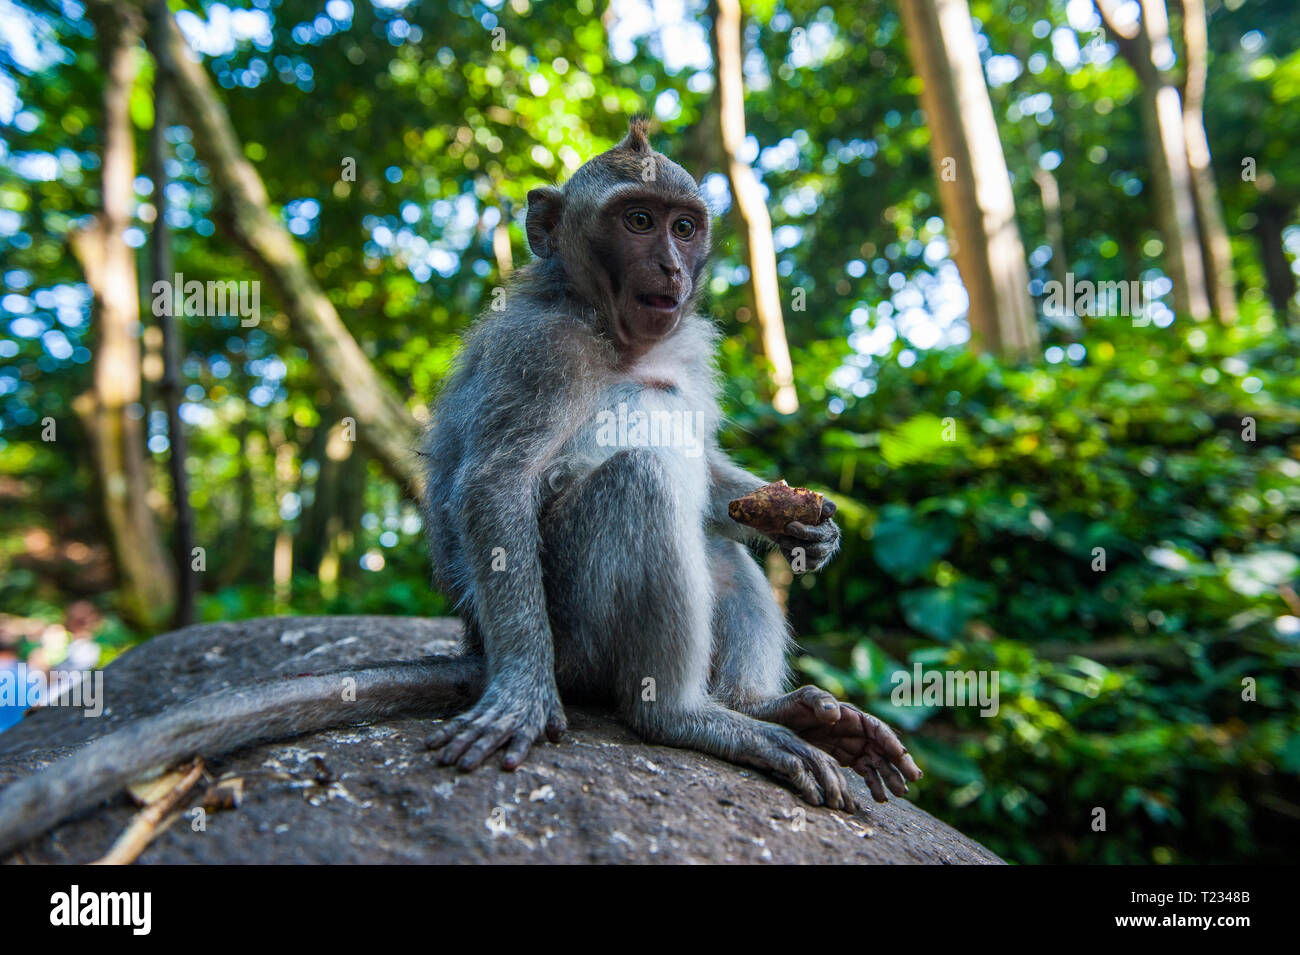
(857, 740)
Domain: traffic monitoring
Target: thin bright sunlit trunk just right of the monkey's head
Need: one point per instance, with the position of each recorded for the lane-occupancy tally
(748, 202)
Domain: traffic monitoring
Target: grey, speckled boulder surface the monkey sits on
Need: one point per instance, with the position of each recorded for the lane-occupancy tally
(372, 795)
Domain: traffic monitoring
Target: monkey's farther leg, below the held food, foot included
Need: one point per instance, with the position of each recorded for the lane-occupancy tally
(751, 641)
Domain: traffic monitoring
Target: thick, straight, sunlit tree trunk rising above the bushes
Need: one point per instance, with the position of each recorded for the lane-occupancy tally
(974, 185)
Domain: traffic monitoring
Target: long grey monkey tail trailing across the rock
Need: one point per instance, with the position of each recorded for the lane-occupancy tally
(228, 720)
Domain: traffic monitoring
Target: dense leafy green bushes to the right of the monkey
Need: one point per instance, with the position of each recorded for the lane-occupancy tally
(1117, 537)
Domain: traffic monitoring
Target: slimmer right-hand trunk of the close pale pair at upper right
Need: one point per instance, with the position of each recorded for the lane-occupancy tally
(1216, 249)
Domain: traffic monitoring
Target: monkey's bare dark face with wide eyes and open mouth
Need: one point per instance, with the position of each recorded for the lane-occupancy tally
(655, 250)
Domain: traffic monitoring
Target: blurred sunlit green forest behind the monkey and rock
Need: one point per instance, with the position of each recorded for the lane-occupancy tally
(1097, 498)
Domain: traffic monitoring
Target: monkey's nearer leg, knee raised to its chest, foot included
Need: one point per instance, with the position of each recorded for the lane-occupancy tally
(631, 601)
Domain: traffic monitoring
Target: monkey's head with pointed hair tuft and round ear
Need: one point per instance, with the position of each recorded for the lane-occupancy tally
(630, 233)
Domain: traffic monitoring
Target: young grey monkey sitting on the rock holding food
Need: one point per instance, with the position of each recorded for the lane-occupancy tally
(577, 514)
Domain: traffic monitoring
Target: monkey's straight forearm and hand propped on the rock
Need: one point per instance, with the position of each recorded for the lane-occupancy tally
(502, 544)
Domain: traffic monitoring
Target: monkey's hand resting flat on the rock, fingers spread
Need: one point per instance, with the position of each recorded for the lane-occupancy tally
(506, 715)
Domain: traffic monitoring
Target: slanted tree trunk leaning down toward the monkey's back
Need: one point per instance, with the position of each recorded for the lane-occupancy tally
(383, 420)
